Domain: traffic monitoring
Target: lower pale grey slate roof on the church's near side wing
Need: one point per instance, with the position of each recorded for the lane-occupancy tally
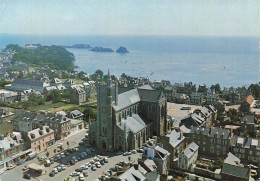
(133, 123)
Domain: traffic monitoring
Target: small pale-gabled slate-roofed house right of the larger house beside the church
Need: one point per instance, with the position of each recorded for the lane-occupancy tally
(188, 156)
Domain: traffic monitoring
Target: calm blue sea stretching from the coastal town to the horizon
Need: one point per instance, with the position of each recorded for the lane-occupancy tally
(229, 61)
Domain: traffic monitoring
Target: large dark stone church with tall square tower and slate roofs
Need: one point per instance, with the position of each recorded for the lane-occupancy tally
(125, 121)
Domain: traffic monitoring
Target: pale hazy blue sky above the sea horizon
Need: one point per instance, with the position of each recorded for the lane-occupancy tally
(131, 17)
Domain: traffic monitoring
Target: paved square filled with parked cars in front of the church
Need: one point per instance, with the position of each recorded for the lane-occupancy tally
(95, 163)
